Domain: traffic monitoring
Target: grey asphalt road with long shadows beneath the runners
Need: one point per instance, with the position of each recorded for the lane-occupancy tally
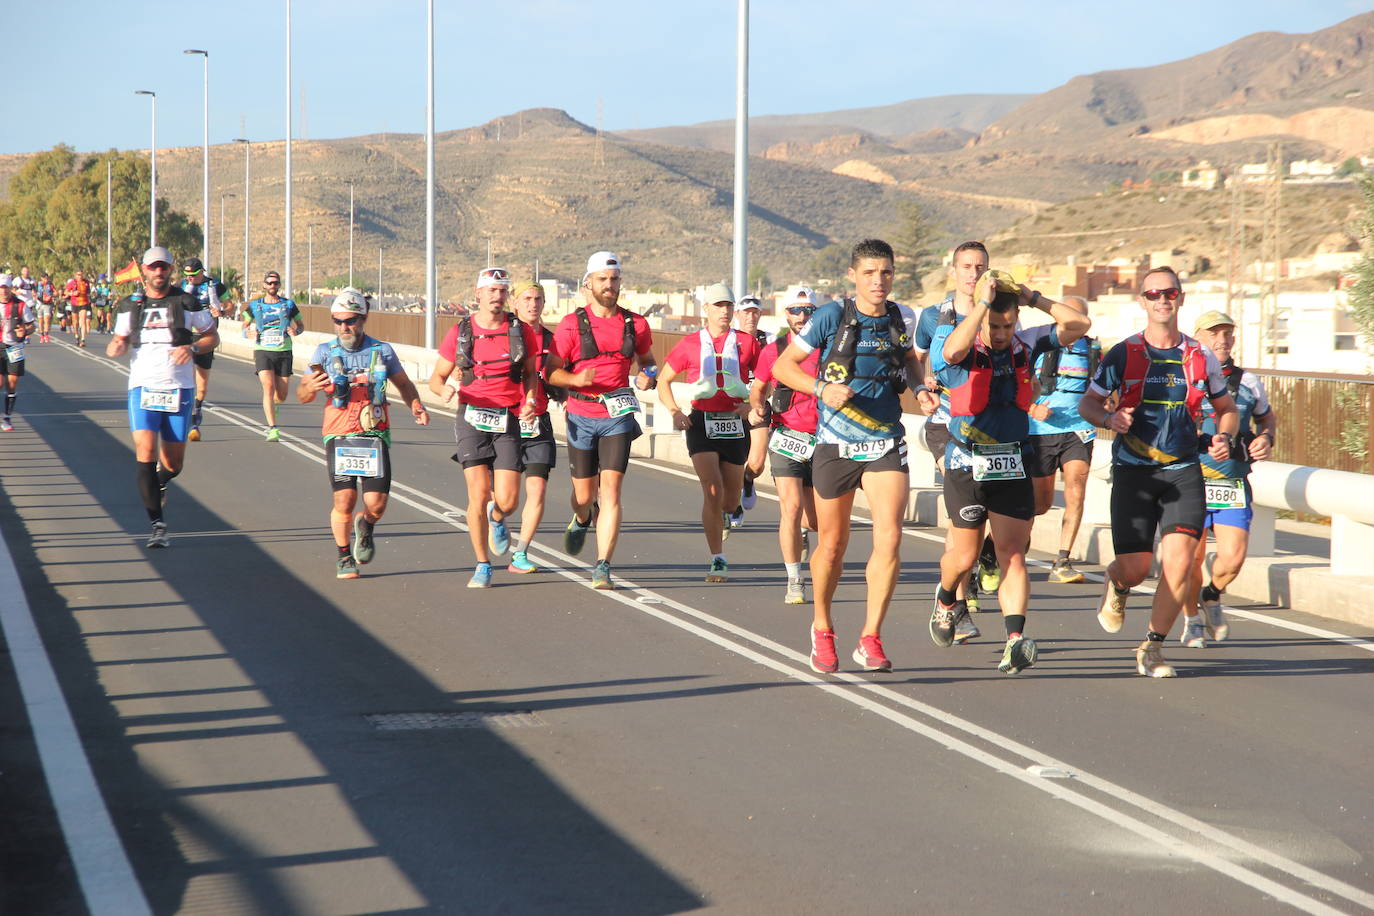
(659, 749)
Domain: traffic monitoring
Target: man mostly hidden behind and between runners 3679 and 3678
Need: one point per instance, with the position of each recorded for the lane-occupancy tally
(968, 263)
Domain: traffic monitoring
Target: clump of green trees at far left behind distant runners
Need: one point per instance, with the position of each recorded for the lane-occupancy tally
(56, 218)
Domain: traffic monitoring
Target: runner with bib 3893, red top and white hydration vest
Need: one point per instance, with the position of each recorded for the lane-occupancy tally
(717, 439)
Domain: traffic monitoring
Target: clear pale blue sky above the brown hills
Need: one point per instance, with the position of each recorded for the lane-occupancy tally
(361, 64)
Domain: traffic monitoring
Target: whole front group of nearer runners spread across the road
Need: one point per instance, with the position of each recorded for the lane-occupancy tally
(1008, 410)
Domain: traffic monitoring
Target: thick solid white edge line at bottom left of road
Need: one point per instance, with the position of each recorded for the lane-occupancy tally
(104, 870)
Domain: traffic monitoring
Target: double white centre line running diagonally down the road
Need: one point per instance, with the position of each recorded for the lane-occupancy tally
(835, 687)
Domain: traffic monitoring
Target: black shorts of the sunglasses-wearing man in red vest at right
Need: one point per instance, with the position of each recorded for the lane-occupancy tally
(1149, 499)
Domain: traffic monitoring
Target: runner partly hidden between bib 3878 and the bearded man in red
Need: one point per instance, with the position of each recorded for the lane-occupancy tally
(538, 448)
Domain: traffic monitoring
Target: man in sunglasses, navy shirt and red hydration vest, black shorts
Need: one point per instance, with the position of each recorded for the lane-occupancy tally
(1156, 480)
